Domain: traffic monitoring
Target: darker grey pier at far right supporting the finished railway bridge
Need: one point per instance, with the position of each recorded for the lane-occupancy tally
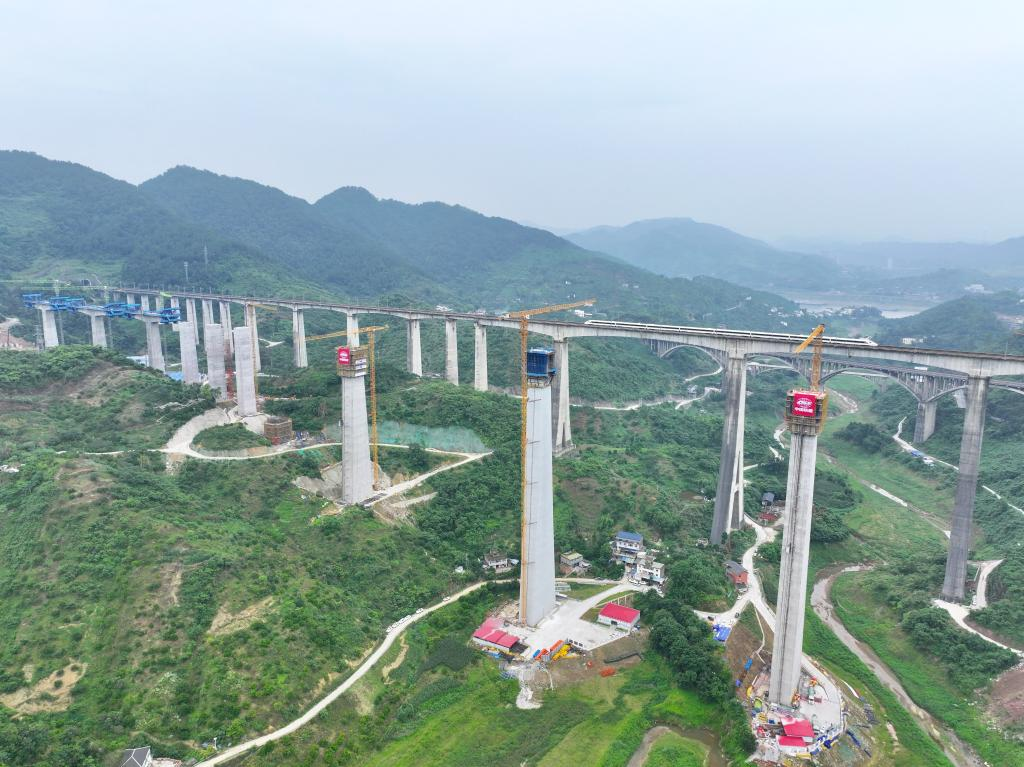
(967, 488)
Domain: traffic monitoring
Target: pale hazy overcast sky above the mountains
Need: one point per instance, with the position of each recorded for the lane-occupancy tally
(847, 119)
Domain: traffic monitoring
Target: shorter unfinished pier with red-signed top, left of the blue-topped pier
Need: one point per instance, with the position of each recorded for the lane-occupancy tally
(357, 467)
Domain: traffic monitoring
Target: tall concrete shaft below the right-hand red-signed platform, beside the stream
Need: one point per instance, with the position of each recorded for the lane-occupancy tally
(788, 653)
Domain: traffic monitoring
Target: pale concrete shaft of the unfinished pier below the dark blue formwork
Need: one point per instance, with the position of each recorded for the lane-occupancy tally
(537, 584)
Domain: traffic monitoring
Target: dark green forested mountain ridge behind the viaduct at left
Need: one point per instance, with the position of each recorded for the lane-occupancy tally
(67, 222)
